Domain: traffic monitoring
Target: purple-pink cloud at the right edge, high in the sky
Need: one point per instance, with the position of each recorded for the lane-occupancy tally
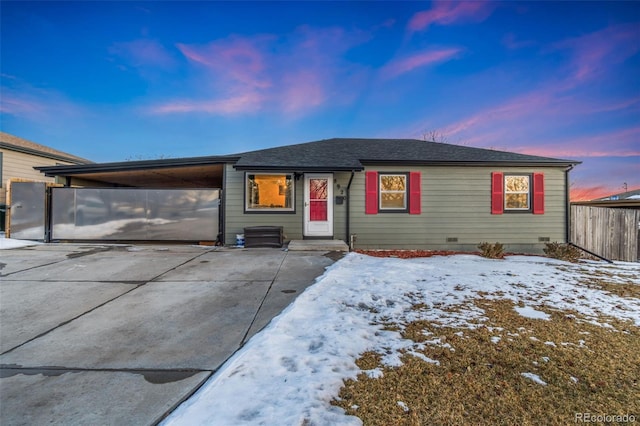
(596, 53)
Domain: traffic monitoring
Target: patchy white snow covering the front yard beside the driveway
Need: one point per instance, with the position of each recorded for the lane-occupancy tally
(290, 372)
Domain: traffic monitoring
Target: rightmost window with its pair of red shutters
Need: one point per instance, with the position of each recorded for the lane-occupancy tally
(517, 193)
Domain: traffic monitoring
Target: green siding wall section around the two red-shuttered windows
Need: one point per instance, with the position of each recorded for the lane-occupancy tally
(456, 203)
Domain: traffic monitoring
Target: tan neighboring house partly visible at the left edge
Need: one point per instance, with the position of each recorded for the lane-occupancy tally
(18, 157)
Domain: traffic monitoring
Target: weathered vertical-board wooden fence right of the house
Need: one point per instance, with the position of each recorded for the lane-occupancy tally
(609, 232)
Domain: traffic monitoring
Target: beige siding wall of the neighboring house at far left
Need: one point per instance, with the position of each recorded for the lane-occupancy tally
(20, 165)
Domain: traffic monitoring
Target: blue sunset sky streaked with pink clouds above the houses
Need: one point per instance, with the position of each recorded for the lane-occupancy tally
(115, 81)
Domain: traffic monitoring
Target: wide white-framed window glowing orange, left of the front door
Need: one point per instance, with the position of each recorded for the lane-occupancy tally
(266, 192)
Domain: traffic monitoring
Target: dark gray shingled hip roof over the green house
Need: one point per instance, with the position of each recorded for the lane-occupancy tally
(353, 154)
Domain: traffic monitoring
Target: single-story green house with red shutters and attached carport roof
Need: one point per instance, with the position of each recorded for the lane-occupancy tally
(373, 193)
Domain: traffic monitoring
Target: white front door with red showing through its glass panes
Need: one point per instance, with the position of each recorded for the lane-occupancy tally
(318, 205)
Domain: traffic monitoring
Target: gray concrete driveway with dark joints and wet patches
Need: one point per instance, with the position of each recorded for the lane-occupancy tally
(108, 334)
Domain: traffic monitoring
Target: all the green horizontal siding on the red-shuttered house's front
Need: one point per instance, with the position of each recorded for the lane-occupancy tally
(456, 203)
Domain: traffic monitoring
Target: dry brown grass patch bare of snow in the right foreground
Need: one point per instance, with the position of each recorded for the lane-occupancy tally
(587, 368)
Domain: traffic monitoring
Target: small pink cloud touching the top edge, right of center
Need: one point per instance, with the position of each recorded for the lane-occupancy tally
(450, 12)
